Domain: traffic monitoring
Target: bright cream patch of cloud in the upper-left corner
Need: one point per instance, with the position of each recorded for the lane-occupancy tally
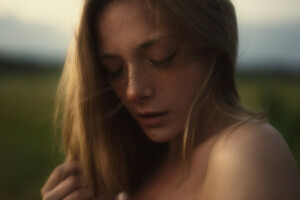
(60, 13)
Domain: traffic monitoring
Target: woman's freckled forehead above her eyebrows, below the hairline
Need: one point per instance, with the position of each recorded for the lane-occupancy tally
(123, 22)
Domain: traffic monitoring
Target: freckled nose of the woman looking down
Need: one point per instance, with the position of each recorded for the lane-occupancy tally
(140, 85)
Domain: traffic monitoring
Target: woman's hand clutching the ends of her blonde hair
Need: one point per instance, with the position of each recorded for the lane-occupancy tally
(66, 183)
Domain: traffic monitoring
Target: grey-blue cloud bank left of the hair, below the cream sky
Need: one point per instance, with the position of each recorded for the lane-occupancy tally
(32, 39)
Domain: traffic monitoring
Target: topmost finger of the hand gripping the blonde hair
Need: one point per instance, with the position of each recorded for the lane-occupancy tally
(59, 174)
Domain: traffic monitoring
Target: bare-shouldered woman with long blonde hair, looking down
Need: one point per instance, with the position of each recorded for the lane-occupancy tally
(151, 109)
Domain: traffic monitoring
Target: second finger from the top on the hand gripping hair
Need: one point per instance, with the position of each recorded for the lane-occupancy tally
(66, 187)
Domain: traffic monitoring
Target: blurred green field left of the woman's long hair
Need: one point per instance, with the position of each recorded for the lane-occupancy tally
(26, 145)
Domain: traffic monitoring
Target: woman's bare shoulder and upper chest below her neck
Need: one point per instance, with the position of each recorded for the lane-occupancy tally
(246, 163)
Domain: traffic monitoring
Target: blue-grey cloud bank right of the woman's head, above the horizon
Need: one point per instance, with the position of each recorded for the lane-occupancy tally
(270, 44)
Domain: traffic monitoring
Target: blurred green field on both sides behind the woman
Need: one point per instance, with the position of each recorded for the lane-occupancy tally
(27, 149)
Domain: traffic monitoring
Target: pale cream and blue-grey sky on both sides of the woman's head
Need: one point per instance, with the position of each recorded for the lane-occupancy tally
(269, 29)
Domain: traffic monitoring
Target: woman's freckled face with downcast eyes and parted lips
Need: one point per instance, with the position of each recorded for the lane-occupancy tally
(154, 76)
